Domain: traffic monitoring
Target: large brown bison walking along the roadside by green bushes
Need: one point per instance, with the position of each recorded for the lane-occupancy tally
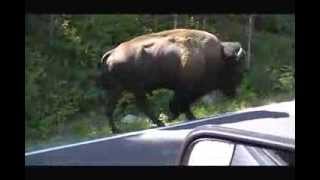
(189, 62)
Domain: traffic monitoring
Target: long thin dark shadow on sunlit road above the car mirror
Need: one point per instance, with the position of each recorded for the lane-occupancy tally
(233, 118)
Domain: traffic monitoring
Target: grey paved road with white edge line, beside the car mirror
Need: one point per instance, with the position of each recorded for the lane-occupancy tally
(160, 146)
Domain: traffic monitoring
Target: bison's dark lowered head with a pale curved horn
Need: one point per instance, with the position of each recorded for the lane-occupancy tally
(231, 75)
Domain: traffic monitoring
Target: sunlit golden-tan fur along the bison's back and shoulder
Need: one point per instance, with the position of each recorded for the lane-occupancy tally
(190, 43)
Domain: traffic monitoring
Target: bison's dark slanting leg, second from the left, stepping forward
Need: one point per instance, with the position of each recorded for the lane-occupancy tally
(142, 104)
